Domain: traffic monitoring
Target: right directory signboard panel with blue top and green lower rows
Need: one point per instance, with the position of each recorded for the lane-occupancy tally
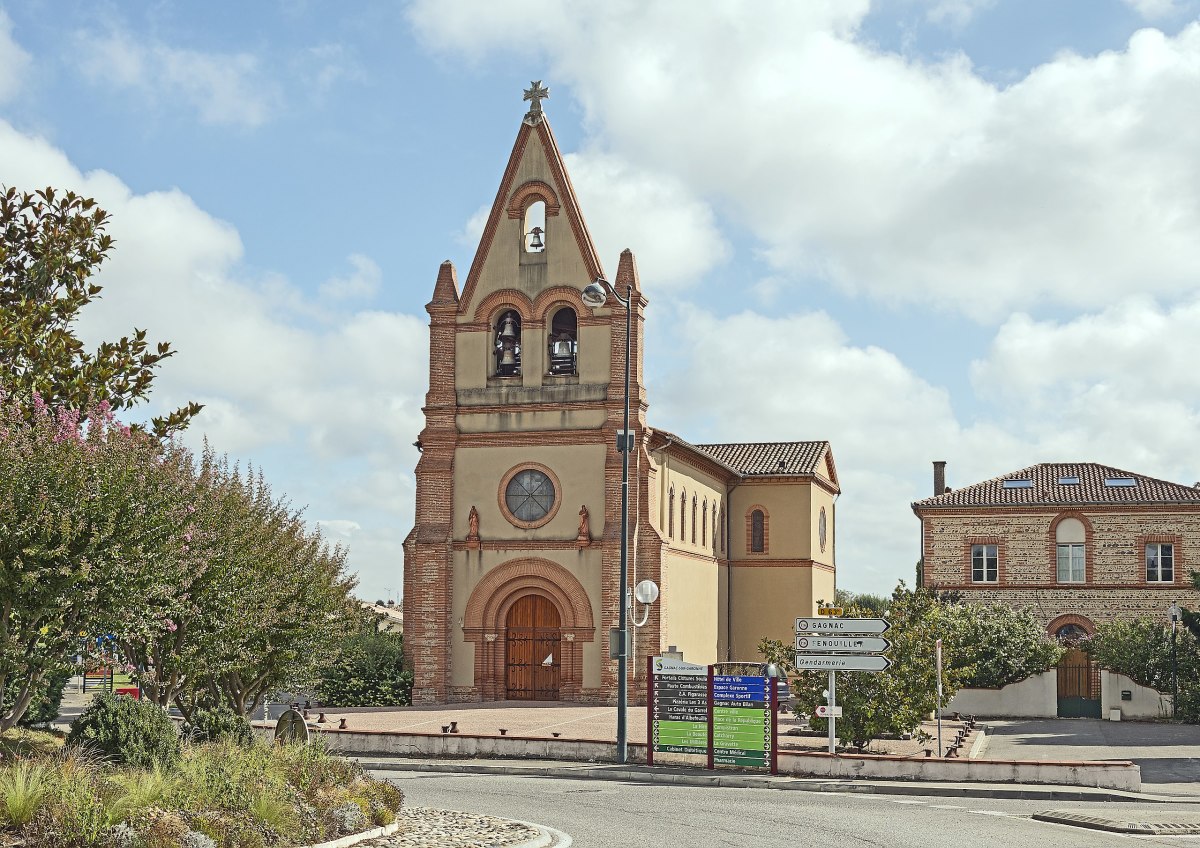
(742, 721)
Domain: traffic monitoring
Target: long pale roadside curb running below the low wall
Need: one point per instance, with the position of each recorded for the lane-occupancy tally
(737, 781)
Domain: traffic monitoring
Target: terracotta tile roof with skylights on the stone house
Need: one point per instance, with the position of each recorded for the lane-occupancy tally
(1047, 489)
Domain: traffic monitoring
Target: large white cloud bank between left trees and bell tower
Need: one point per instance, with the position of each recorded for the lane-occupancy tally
(327, 410)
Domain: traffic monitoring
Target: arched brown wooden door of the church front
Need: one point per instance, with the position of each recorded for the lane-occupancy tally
(532, 649)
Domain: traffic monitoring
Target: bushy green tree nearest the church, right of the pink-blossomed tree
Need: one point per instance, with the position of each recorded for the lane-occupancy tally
(257, 609)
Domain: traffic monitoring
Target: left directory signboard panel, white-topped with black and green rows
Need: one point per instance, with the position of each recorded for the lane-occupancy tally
(680, 718)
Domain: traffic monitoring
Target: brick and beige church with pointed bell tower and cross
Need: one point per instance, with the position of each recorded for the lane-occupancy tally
(512, 573)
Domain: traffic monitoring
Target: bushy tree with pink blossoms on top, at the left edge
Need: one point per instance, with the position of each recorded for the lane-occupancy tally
(89, 519)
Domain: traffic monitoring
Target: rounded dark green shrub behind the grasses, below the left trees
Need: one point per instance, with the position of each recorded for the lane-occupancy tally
(127, 731)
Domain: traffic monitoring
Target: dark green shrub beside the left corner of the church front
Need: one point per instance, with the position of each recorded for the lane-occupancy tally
(368, 671)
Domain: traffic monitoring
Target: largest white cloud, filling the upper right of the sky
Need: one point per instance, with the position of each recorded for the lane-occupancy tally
(885, 175)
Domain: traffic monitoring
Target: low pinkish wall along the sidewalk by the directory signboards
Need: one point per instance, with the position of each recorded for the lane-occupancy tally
(1109, 775)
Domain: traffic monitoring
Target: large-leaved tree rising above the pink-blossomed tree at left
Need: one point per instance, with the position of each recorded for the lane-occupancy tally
(51, 245)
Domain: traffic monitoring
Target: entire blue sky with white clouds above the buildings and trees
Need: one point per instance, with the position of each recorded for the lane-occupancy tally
(921, 230)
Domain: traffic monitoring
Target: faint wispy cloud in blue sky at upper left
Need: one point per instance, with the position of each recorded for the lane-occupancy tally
(220, 88)
